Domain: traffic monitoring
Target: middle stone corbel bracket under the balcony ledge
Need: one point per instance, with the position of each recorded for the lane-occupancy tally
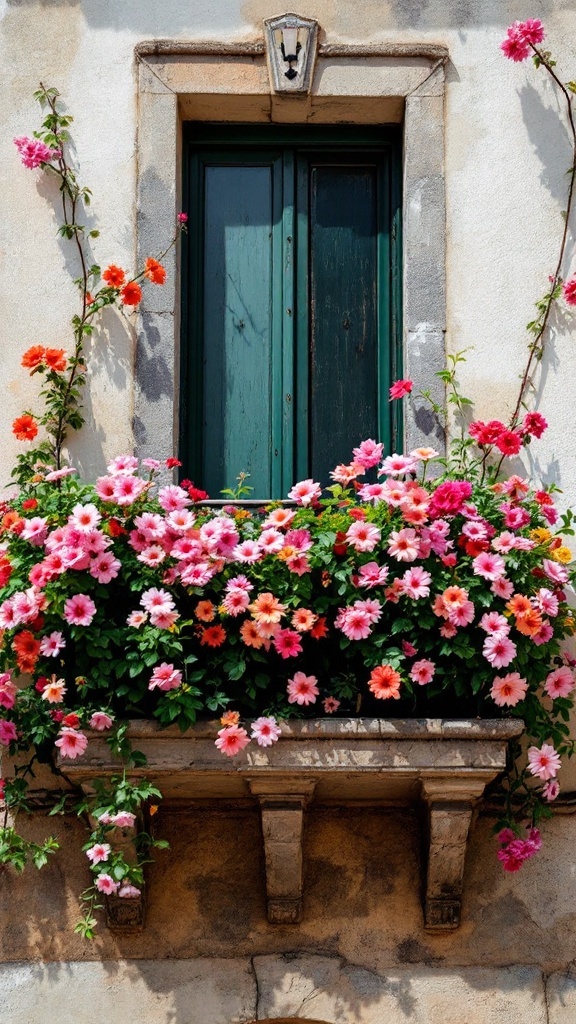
(282, 804)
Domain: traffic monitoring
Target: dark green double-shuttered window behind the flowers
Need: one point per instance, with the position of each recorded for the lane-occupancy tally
(292, 300)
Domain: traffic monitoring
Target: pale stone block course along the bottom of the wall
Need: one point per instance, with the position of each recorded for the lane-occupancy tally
(281, 988)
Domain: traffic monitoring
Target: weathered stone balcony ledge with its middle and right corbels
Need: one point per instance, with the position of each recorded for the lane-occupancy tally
(443, 766)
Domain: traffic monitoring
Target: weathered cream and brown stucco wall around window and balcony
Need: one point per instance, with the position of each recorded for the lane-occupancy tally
(507, 153)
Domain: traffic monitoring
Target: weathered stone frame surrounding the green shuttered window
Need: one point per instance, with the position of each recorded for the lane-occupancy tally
(362, 84)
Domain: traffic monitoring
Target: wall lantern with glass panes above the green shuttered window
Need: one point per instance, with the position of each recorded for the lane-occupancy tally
(292, 42)
